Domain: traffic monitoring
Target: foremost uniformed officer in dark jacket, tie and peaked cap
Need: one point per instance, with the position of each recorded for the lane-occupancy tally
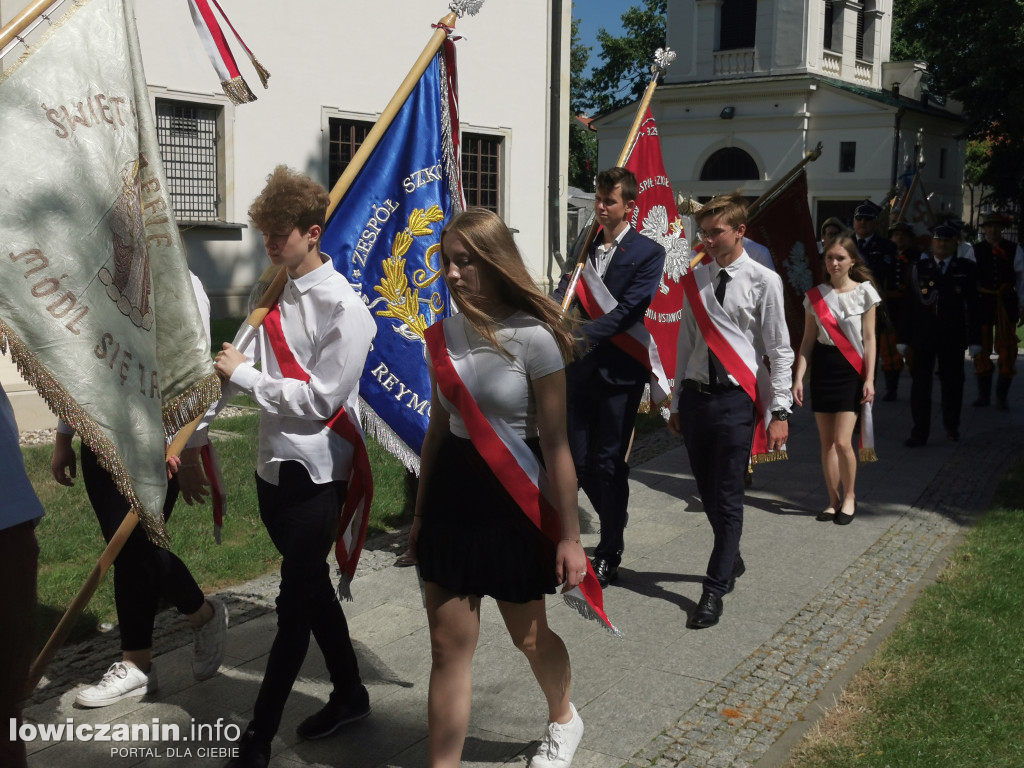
(944, 321)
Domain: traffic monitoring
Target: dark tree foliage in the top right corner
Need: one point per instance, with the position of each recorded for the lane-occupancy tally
(975, 53)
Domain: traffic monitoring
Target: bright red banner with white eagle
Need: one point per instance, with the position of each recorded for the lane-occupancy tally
(656, 217)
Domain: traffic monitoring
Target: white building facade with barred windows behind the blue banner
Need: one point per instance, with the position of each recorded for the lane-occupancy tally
(334, 67)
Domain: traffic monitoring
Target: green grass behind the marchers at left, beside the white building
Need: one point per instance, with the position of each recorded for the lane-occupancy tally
(71, 543)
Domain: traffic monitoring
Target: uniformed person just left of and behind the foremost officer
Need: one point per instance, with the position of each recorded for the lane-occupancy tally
(894, 283)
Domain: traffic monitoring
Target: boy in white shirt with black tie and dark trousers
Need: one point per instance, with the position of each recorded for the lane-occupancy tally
(711, 410)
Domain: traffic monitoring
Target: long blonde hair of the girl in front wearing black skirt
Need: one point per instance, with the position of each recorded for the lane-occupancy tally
(487, 237)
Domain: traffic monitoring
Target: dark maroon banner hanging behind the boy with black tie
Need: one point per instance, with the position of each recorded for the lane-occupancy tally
(784, 227)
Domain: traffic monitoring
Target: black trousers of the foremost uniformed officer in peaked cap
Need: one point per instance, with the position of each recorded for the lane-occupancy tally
(951, 361)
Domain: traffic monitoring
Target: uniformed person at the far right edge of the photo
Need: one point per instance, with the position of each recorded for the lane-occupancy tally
(1001, 292)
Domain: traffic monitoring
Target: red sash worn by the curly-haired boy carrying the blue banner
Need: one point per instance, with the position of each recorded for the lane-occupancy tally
(356, 511)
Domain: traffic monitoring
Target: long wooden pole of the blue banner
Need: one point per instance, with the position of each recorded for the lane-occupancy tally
(247, 331)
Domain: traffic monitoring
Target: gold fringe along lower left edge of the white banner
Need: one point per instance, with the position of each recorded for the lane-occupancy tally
(68, 411)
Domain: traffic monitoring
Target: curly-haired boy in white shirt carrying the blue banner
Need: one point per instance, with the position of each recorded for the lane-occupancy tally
(304, 466)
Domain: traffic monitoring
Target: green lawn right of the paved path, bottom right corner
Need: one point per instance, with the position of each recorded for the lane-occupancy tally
(948, 688)
